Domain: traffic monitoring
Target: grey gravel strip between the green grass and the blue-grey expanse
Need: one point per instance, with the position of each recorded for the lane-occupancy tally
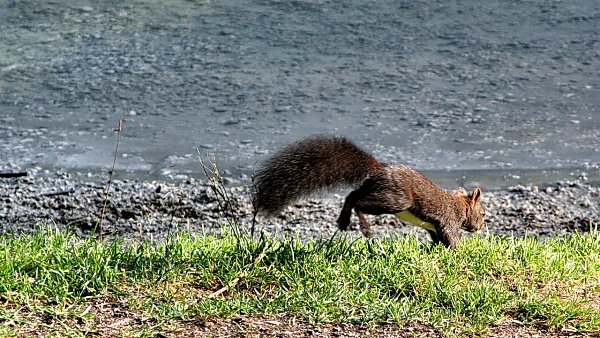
(151, 210)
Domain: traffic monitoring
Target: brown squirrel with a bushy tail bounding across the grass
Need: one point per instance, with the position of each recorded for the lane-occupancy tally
(322, 162)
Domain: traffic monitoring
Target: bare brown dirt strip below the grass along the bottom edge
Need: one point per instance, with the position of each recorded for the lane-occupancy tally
(111, 319)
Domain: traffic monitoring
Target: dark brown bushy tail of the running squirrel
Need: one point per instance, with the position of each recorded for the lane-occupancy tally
(306, 166)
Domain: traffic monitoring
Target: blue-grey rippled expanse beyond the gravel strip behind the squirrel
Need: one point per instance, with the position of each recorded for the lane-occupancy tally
(451, 88)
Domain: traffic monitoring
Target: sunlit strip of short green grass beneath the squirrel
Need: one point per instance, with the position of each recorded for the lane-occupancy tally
(554, 285)
